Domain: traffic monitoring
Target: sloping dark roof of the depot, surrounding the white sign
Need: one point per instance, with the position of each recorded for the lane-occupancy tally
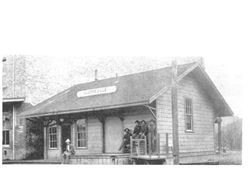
(132, 90)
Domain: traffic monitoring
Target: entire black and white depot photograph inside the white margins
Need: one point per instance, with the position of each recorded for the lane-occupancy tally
(115, 111)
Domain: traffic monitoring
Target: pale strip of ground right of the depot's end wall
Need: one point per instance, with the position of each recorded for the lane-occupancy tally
(231, 158)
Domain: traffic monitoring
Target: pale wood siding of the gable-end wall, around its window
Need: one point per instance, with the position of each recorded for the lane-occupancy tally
(202, 137)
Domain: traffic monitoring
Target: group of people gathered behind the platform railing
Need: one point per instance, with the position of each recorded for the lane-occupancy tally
(142, 130)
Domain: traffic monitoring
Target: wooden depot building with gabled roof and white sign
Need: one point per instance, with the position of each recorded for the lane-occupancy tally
(93, 115)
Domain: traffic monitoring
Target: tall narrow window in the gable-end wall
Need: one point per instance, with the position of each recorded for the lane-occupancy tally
(189, 114)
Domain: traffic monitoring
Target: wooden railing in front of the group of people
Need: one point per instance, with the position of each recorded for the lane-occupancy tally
(149, 146)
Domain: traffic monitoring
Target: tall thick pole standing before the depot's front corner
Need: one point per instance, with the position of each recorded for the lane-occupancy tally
(175, 113)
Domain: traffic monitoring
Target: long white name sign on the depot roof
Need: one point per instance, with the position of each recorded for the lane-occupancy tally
(97, 91)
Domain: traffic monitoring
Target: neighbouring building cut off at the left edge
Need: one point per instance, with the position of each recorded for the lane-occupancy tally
(13, 103)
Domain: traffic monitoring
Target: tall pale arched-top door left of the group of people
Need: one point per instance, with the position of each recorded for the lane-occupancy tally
(113, 134)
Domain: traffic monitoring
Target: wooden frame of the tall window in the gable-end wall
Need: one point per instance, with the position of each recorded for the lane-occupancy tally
(189, 115)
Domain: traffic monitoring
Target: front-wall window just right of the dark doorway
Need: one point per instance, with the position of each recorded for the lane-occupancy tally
(81, 133)
